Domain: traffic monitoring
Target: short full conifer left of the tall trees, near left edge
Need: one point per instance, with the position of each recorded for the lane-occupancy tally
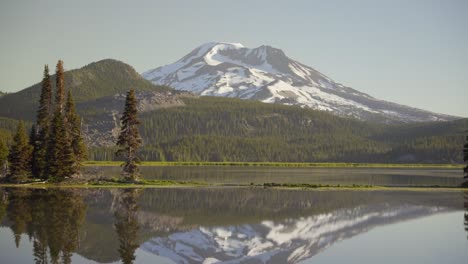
(20, 156)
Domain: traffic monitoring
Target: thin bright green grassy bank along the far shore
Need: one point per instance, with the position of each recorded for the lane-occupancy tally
(281, 164)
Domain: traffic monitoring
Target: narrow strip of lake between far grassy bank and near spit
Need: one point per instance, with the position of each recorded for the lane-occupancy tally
(260, 175)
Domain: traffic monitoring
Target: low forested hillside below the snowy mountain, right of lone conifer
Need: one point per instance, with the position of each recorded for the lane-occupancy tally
(222, 129)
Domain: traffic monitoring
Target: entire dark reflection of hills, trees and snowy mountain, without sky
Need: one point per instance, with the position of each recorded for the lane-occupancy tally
(204, 225)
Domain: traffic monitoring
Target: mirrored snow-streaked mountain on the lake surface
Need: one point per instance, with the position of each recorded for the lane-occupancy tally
(287, 241)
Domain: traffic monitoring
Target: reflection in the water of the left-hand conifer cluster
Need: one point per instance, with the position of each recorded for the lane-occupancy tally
(51, 219)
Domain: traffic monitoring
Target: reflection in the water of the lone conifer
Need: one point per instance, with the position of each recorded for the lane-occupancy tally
(126, 223)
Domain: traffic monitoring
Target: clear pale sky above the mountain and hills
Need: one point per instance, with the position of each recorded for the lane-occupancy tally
(413, 52)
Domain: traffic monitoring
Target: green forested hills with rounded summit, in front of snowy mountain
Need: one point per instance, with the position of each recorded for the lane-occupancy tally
(181, 126)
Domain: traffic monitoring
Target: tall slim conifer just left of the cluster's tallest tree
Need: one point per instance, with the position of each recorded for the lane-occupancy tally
(44, 114)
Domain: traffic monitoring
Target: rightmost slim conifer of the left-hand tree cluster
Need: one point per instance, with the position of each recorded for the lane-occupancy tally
(74, 131)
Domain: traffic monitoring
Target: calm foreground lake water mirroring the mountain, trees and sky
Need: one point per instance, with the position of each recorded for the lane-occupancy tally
(232, 225)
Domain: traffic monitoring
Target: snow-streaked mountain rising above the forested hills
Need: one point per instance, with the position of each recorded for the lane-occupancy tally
(268, 75)
